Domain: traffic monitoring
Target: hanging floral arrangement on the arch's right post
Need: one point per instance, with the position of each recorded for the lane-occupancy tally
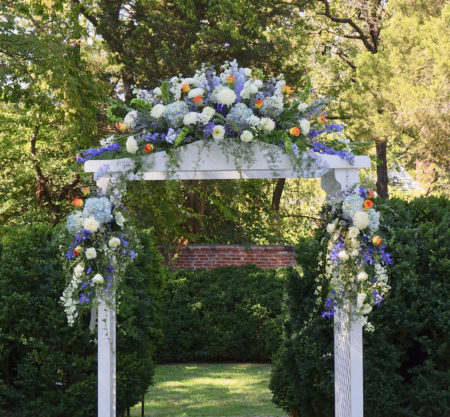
(355, 259)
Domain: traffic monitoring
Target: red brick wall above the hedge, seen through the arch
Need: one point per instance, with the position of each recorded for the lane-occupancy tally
(212, 256)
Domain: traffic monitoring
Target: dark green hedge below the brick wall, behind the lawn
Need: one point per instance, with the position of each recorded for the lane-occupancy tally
(226, 314)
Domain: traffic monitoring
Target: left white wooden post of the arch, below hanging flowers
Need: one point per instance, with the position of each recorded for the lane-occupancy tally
(106, 344)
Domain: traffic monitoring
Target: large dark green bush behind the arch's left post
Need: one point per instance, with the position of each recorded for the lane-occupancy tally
(47, 368)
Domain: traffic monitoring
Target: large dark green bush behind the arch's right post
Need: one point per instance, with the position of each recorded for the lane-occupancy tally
(406, 358)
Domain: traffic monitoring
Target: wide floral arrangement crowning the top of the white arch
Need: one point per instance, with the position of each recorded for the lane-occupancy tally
(236, 104)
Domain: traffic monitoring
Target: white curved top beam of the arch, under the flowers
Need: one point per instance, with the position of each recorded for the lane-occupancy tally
(226, 160)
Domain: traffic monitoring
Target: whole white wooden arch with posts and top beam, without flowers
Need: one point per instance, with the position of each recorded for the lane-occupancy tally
(200, 161)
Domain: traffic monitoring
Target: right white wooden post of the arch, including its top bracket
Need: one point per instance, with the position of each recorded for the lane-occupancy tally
(348, 347)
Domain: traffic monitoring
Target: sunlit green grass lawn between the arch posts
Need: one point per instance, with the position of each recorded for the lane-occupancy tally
(212, 390)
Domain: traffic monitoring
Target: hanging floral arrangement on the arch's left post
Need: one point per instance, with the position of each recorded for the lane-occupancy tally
(101, 249)
